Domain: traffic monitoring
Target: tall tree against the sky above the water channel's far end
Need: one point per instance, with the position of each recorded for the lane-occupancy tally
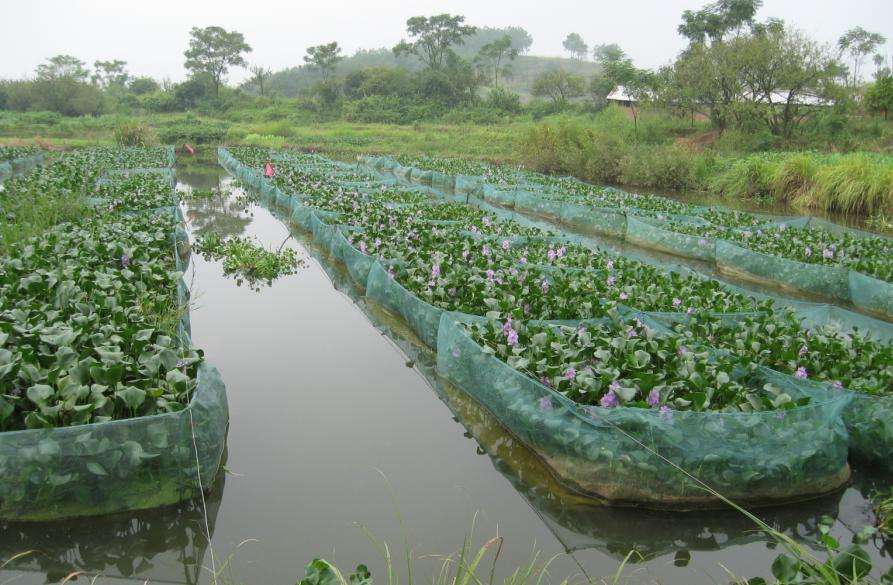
(213, 50)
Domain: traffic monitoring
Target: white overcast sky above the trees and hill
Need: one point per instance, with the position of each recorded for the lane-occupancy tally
(151, 35)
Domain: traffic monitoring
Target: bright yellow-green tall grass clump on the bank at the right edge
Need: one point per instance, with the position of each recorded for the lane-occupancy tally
(852, 183)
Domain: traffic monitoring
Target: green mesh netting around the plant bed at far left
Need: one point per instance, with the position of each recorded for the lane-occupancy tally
(127, 464)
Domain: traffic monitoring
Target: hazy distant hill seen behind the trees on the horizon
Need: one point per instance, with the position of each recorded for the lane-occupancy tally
(294, 80)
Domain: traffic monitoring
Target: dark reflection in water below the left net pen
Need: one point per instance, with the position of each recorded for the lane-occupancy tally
(168, 544)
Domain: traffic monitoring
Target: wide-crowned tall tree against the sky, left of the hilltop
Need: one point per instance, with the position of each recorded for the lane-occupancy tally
(433, 38)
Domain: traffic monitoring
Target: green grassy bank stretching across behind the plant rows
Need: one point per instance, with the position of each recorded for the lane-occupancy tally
(657, 151)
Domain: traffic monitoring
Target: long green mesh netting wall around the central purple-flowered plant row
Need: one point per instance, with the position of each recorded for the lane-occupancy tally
(624, 455)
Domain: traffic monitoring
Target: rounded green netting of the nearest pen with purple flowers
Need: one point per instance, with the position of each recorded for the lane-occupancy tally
(624, 455)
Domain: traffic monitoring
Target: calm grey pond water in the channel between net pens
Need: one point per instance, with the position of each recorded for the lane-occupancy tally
(337, 424)
